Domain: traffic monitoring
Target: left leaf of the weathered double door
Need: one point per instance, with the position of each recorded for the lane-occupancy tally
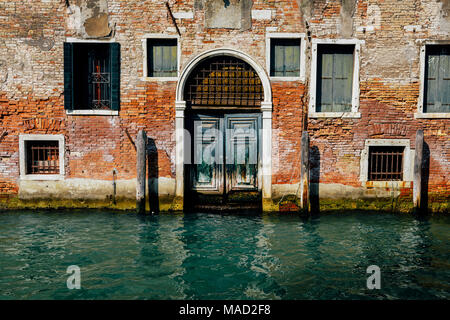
(207, 168)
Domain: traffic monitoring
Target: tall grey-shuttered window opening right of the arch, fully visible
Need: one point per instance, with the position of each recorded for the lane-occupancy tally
(335, 78)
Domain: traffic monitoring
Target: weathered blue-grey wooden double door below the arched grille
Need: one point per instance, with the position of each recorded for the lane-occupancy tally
(225, 159)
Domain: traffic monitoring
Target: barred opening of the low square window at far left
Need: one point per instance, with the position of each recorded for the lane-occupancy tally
(43, 157)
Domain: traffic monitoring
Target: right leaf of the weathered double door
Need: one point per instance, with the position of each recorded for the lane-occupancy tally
(242, 151)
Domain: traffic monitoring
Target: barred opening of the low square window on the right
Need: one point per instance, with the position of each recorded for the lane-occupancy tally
(386, 163)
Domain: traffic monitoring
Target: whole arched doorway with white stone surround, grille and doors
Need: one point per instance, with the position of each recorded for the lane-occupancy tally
(224, 155)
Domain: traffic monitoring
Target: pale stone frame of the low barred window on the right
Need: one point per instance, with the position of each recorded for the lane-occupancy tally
(408, 159)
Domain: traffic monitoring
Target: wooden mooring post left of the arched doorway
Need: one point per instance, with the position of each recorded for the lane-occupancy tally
(141, 152)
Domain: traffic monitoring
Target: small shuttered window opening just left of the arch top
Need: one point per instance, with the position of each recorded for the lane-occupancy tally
(162, 58)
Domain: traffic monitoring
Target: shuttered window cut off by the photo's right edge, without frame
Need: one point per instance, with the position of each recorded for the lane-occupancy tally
(437, 84)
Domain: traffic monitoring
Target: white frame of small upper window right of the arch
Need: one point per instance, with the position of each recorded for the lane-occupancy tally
(302, 44)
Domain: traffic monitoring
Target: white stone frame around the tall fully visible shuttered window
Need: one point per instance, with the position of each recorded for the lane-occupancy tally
(355, 83)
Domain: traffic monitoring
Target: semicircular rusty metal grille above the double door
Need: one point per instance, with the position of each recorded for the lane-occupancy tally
(224, 81)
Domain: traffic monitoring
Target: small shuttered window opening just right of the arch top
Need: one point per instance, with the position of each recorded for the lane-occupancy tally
(285, 57)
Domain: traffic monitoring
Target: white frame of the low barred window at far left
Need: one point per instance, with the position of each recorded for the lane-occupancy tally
(23, 154)
